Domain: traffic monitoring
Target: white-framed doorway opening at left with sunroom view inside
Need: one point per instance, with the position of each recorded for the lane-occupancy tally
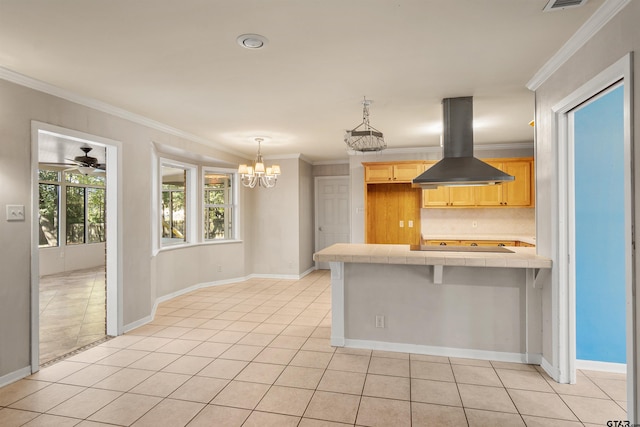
(76, 295)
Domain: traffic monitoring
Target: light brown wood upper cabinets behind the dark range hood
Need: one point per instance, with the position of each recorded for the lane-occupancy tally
(518, 193)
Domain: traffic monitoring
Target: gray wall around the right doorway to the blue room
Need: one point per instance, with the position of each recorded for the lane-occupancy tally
(618, 37)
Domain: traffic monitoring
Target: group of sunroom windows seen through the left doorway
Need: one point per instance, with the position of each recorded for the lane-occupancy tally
(80, 201)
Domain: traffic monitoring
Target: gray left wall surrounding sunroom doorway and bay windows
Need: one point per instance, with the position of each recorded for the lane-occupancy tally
(146, 276)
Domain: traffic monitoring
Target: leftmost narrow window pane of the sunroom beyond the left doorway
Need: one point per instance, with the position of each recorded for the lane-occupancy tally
(49, 195)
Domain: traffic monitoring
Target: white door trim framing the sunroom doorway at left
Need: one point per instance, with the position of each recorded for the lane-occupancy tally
(114, 303)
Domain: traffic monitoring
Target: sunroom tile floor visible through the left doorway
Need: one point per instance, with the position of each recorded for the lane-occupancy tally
(72, 311)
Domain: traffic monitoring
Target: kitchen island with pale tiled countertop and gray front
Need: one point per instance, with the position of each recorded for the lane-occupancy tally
(484, 305)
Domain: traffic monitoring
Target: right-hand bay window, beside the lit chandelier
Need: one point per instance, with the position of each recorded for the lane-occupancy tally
(218, 206)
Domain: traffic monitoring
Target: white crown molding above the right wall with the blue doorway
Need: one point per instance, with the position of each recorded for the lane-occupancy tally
(590, 28)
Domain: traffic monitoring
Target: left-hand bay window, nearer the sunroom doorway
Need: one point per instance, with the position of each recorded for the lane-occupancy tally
(175, 204)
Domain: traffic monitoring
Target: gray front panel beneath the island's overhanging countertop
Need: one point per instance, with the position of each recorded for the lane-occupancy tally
(454, 314)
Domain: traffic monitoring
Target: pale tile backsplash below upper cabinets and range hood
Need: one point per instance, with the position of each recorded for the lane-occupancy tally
(498, 221)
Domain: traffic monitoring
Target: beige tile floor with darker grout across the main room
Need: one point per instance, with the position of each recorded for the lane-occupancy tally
(257, 353)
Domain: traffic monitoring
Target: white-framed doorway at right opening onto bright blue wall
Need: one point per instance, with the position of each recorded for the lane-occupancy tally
(587, 162)
